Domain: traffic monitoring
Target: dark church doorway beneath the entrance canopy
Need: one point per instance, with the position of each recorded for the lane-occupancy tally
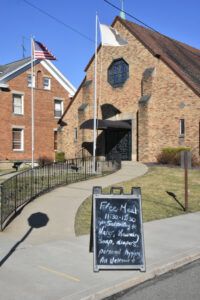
(118, 142)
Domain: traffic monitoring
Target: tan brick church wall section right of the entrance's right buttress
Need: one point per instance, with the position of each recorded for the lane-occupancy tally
(171, 101)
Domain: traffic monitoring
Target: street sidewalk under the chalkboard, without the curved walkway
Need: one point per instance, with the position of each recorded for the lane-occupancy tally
(63, 270)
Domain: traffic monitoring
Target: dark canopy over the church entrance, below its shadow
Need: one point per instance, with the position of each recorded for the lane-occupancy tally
(105, 124)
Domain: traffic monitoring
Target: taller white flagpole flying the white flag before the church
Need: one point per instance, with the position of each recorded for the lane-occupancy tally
(95, 100)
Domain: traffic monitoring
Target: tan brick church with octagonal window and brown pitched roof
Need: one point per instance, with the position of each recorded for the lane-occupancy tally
(148, 97)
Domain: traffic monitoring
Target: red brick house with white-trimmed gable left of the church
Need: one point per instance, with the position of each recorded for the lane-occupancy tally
(52, 94)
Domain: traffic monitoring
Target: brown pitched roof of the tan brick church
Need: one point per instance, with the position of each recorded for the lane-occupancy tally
(183, 59)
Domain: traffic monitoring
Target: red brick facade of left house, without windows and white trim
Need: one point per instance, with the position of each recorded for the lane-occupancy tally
(45, 123)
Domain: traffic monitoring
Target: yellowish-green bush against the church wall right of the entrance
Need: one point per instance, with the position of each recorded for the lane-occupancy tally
(171, 155)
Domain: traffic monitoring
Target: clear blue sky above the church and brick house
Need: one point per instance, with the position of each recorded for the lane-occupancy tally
(176, 18)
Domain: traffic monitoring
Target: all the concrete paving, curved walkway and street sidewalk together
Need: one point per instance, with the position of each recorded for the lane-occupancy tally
(52, 264)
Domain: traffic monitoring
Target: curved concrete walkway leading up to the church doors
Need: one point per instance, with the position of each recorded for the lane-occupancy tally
(61, 205)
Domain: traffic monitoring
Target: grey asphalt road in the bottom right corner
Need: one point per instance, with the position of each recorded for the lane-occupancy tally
(182, 284)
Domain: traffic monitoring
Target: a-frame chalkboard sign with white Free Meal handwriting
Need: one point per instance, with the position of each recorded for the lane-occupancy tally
(118, 240)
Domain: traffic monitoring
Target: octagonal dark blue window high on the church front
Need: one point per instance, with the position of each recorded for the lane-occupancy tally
(118, 72)
